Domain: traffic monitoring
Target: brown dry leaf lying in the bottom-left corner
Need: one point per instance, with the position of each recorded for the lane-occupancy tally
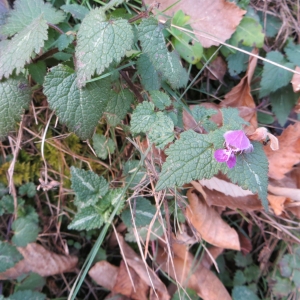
(41, 261)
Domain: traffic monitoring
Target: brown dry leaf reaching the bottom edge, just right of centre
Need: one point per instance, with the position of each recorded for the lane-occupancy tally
(181, 267)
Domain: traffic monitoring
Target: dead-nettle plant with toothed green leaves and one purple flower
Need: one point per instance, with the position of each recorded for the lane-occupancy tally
(87, 87)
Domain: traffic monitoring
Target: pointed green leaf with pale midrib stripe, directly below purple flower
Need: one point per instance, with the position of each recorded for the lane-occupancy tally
(251, 172)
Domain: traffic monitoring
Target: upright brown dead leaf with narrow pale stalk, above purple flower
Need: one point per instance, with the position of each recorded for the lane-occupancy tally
(240, 95)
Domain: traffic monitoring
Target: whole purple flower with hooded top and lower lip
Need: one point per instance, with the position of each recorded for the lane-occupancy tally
(235, 141)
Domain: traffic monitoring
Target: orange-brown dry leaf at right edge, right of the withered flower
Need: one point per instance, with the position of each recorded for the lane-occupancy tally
(283, 160)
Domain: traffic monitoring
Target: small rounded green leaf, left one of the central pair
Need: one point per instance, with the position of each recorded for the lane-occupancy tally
(143, 117)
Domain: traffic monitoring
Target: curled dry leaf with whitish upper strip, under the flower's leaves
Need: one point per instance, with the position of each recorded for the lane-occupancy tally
(219, 192)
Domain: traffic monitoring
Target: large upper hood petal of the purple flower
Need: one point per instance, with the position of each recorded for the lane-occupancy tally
(237, 140)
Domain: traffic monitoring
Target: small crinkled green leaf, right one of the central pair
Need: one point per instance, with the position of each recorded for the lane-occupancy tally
(162, 131)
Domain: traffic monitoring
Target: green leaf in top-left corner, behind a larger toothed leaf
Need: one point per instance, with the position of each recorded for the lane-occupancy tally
(26, 11)
